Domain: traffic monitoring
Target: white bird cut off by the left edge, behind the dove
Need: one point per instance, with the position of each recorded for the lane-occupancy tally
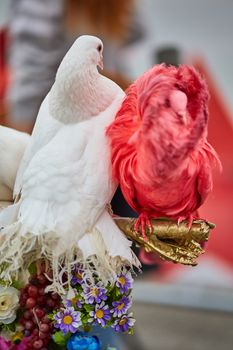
(12, 147)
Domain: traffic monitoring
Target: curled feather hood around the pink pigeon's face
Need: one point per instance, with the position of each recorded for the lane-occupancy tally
(148, 125)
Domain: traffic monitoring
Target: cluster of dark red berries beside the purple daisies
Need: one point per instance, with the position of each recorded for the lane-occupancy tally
(36, 305)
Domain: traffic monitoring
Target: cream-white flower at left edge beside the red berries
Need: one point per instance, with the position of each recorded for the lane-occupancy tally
(9, 302)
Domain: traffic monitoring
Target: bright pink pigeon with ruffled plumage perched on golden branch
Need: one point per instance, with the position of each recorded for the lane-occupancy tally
(160, 154)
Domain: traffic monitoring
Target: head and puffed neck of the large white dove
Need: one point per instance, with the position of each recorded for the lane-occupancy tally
(79, 90)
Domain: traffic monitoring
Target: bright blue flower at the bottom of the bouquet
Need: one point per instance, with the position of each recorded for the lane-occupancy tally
(83, 341)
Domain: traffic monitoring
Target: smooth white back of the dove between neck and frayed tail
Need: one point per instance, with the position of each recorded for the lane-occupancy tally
(62, 185)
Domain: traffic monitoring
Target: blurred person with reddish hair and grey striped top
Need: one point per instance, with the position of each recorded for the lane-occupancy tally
(41, 31)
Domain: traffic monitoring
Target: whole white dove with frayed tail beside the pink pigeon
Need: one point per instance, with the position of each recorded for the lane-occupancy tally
(65, 179)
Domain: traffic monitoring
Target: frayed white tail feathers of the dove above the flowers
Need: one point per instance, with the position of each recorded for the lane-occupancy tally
(104, 251)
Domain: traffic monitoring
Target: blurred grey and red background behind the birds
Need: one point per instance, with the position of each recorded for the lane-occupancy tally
(176, 307)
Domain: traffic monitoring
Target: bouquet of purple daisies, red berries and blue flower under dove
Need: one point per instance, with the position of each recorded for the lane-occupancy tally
(32, 318)
